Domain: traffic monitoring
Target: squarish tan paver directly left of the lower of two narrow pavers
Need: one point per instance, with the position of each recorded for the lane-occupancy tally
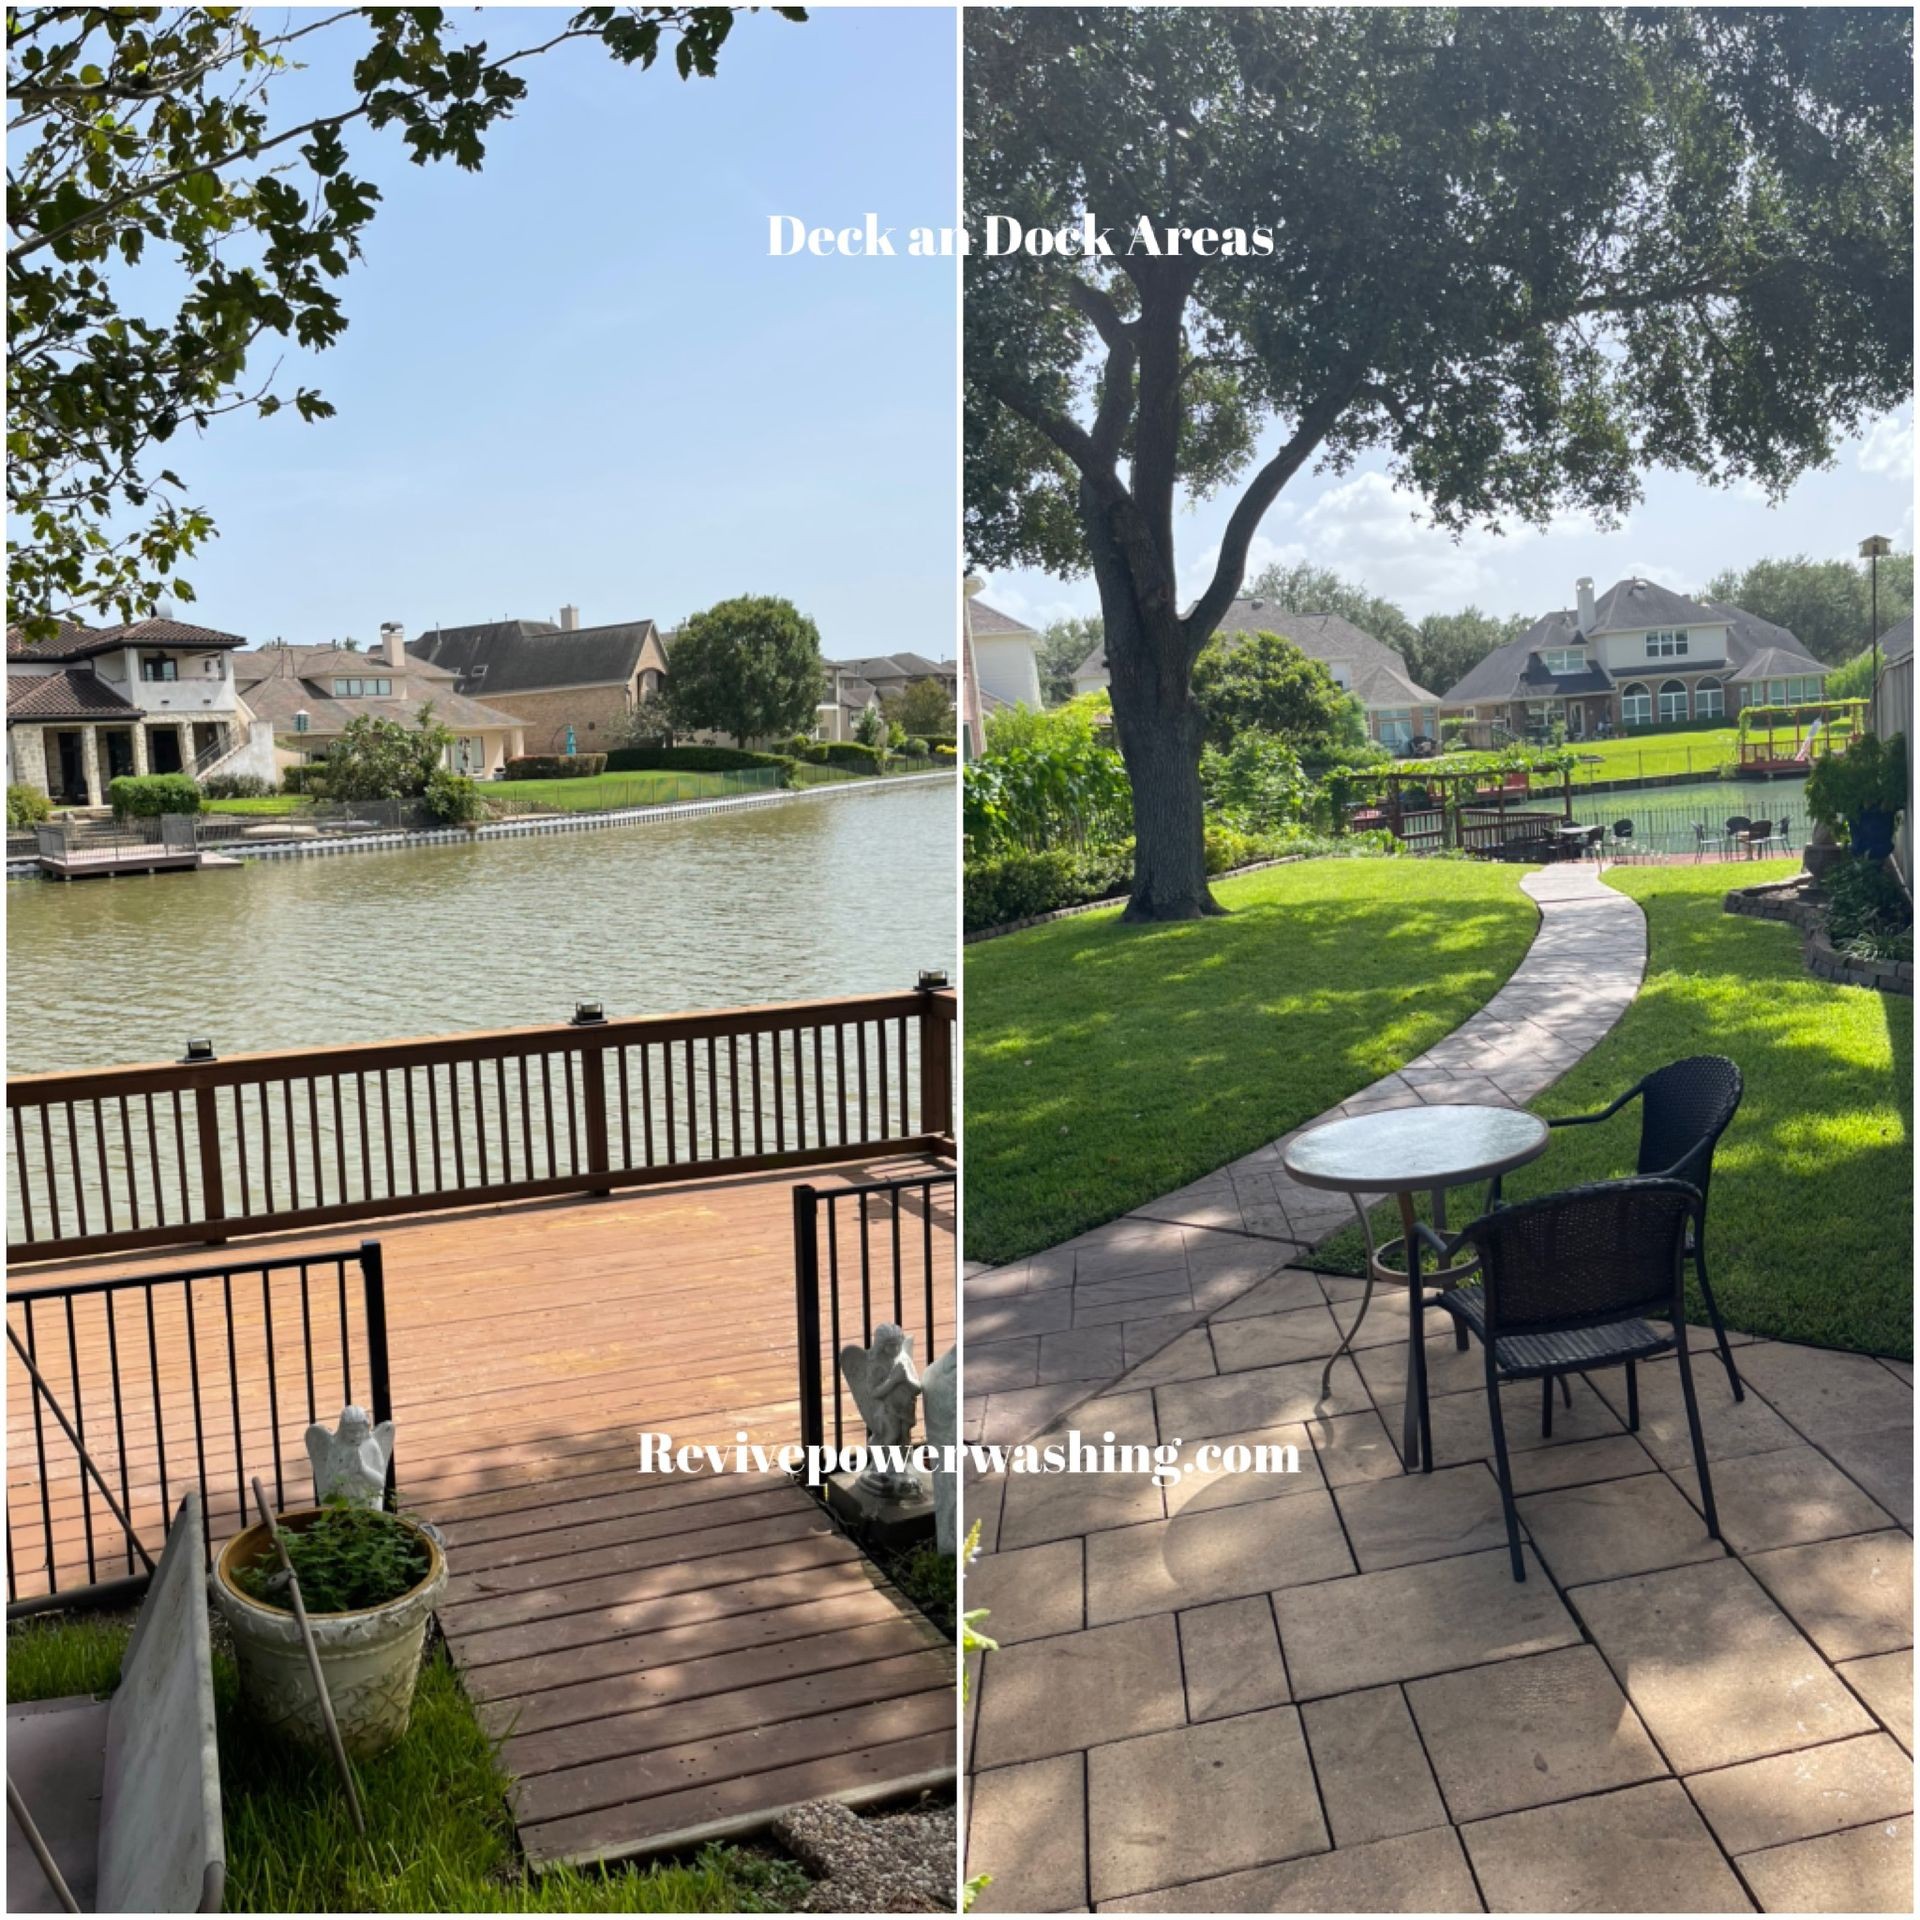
(1251, 1777)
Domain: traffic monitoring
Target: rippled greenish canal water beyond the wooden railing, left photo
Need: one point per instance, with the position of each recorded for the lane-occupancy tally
(840, 896)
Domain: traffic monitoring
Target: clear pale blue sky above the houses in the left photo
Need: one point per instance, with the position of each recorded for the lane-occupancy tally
(577, 375)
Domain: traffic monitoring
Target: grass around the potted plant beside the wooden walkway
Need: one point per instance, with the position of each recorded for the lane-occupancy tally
(439, 1835)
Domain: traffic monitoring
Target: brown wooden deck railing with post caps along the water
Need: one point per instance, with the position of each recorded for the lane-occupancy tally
(118, 1159)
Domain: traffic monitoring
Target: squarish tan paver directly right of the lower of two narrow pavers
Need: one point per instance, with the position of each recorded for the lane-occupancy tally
(1529, 1733)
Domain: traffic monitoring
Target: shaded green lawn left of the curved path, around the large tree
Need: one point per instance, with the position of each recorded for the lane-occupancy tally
(1107, 1065)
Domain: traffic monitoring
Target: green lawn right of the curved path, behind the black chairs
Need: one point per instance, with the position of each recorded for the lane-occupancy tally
(1812, 1212)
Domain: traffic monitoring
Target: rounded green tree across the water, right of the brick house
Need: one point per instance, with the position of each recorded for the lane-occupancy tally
(748, 667)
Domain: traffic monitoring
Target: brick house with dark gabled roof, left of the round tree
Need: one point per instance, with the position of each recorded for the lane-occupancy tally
(554, 677)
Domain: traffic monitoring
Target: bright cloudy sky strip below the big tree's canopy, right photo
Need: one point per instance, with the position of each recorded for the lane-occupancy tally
(1683, 535)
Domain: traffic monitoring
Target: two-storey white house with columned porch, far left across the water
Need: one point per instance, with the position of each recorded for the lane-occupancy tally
(143, 698)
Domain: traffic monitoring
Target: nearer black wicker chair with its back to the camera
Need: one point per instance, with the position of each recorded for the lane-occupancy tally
(1572, 1284)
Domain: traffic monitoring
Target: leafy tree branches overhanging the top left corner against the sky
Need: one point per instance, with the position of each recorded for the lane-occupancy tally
(149, 133)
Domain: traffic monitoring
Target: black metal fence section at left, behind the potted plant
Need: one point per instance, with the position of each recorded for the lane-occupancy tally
(124, 1393)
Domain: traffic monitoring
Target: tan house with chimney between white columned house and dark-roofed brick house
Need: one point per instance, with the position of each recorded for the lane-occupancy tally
(312, 694)
